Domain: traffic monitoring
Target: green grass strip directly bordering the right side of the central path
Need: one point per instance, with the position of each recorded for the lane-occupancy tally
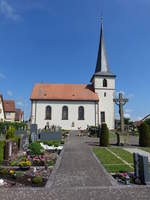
(111, 162)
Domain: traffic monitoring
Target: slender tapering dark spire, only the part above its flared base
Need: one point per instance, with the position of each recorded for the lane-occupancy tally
(102, 62)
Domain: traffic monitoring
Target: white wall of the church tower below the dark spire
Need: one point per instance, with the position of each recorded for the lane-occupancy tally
(106, 103)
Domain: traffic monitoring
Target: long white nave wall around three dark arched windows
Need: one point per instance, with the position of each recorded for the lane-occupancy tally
(39, 118)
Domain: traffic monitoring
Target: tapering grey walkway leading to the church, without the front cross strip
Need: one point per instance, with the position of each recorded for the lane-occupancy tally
(78, 167)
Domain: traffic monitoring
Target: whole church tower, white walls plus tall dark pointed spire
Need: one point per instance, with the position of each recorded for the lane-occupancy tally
(104, 85)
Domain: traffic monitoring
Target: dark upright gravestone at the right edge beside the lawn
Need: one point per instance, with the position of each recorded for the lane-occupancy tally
(141, 168)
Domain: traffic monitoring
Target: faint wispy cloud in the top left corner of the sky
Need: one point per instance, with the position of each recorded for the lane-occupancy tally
(8, 11)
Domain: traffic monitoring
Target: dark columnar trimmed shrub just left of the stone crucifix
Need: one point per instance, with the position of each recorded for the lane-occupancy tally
(104, 137)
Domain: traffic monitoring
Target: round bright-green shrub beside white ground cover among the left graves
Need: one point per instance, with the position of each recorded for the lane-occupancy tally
(36, 149)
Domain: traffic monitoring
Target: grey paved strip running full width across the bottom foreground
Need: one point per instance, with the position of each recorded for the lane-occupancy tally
(83, 193)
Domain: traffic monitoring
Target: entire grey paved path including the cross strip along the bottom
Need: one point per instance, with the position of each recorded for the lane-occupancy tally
(78, 175)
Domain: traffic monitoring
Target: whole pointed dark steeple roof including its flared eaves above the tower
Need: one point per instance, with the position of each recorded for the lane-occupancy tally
(102, 66)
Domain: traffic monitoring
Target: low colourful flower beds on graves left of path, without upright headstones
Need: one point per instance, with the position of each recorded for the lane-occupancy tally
(31, 168)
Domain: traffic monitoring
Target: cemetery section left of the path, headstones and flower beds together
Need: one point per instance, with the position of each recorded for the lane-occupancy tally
(26, 157)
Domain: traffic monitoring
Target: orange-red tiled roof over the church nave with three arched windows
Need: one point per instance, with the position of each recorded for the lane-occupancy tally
(71, 92)
